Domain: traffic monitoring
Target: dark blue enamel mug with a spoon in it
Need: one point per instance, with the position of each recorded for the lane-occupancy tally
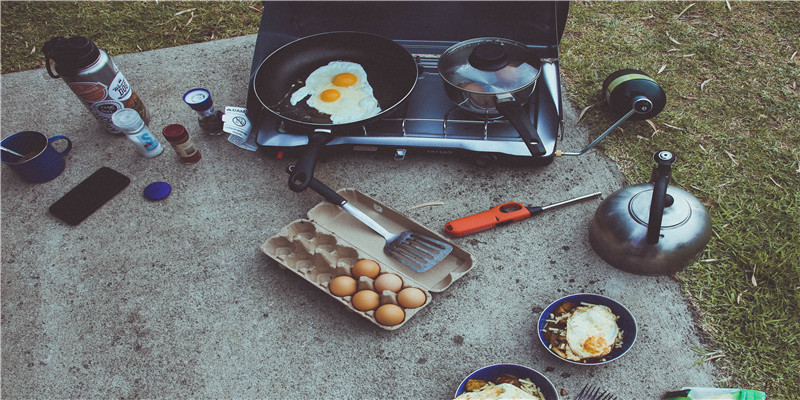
(40, 161)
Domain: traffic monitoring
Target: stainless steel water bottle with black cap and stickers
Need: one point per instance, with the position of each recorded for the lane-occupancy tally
(93, 77)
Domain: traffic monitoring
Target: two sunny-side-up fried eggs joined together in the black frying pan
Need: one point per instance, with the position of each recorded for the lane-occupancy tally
(341, 90)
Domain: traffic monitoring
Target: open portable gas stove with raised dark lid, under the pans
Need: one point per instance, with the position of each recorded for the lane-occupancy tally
(428, 120)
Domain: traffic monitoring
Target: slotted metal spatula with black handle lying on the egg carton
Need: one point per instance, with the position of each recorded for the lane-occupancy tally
(415, 251)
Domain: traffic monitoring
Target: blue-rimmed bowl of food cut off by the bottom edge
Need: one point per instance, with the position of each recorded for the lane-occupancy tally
(506, 380)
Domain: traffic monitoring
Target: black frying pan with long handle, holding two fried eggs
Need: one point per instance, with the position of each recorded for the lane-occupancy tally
(391, 71)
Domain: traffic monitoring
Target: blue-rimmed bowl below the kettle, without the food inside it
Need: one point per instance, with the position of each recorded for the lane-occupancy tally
(626, 323)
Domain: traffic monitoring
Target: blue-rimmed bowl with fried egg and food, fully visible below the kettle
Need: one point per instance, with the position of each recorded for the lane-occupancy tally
(587, 329)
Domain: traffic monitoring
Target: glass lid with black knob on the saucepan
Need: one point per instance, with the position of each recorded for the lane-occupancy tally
(489, 65)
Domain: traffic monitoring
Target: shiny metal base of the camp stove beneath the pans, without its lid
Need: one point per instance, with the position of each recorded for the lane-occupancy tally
(430, 120)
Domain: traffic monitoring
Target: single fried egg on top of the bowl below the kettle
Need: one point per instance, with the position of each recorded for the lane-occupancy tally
(592, 331)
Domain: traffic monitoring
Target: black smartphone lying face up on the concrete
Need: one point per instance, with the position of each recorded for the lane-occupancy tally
(88, 196)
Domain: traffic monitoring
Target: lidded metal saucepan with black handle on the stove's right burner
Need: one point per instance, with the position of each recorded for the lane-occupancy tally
(493, 77)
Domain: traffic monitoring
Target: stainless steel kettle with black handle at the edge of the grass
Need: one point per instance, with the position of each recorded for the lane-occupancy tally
(651, 228)
